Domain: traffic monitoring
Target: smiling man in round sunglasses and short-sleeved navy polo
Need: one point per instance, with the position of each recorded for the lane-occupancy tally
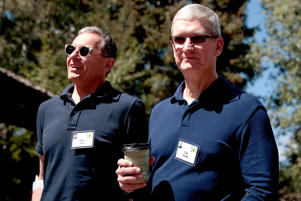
(81, 132)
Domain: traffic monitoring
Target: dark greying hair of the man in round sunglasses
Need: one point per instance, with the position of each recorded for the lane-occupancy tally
(108, 48)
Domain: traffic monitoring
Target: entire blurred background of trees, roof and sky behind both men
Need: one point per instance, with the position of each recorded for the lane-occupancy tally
(262, 55)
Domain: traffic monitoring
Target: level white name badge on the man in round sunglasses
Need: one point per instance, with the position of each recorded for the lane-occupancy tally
(82, 139)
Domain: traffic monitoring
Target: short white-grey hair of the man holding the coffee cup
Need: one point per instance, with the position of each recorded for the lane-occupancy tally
(199, 12)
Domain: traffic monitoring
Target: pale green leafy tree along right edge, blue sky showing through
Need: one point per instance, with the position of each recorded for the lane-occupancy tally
(283, 50)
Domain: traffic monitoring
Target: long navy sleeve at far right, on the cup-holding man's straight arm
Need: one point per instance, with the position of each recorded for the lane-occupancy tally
(259, 158)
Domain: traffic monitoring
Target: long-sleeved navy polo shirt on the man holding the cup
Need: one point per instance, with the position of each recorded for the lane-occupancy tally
(220, 147)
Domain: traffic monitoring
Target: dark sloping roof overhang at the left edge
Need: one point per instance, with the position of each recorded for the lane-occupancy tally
(20, 100)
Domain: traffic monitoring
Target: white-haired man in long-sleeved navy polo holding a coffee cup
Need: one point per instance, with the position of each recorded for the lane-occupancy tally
(210, 140)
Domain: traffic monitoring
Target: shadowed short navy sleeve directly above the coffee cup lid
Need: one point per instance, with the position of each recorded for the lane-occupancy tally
(136, 123)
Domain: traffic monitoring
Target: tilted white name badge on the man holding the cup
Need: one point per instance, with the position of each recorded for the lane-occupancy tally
(187, 152)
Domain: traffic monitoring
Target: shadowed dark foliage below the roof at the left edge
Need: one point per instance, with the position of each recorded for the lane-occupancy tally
(18, 160)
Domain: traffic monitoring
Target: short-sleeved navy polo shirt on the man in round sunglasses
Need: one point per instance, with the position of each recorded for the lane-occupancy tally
(87, 173)
